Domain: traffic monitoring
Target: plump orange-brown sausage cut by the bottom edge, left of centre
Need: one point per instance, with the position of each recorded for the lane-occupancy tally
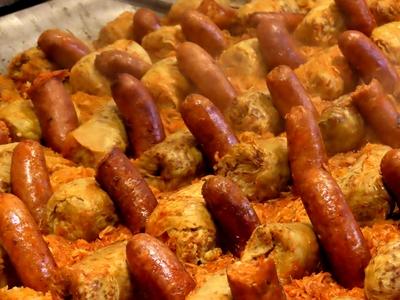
(156, 270)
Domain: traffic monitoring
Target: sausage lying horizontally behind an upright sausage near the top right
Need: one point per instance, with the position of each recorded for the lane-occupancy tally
(291, 20)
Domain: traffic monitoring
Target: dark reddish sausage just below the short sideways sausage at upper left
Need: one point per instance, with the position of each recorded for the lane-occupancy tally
(139, 113)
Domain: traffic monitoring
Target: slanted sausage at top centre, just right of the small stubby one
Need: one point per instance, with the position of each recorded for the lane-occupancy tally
(200, 30)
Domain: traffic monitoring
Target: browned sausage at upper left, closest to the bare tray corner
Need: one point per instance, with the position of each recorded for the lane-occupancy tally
(62, 48)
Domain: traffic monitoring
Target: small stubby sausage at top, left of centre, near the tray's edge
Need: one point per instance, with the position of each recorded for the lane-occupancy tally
(144, 21)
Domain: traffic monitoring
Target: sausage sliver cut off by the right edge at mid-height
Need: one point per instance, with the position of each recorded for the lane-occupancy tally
(390, 169)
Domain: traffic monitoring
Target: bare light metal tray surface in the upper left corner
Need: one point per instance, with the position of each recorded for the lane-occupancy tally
(19, 31)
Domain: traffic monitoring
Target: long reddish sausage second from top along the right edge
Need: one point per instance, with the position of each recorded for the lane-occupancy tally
(368, 60)
